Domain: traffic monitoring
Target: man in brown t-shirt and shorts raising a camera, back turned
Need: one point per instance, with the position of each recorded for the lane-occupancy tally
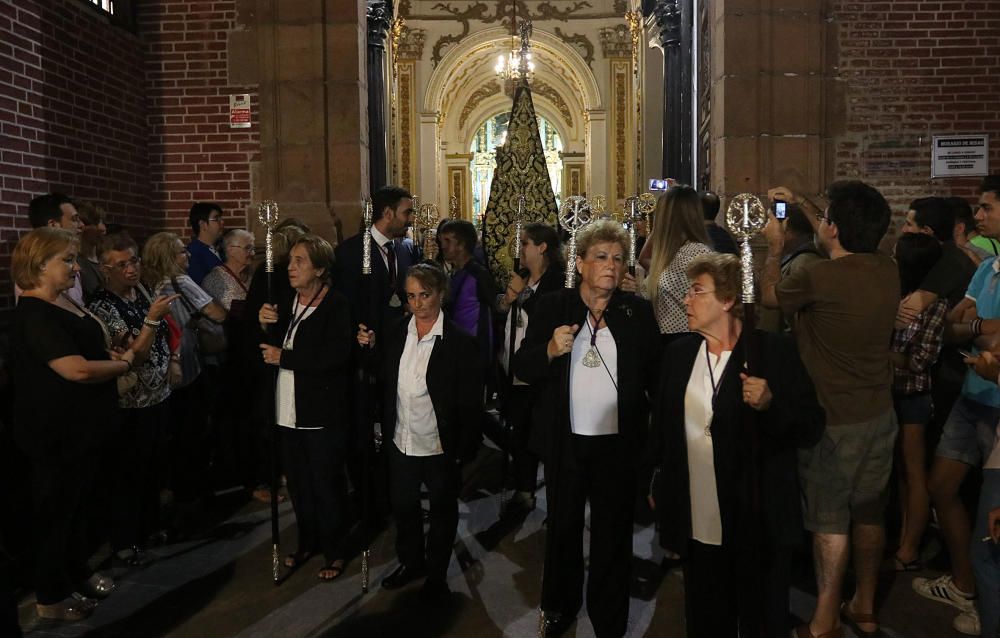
(842, 311)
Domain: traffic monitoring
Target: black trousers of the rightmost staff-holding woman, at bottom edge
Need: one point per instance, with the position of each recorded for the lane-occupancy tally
(728, 596)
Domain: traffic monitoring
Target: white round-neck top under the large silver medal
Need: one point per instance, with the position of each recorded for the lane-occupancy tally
(593, 404)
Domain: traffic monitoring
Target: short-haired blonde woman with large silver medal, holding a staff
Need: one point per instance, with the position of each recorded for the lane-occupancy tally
(593, 352)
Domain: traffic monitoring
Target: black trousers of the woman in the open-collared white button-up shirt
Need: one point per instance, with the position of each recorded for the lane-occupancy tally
(442, 476)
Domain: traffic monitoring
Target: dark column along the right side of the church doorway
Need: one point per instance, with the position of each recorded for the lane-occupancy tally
(675, 20)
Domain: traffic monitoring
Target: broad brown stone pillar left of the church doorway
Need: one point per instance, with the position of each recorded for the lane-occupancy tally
(314, 103)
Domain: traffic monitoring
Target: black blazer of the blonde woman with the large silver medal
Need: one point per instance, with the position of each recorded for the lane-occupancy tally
(637, 337)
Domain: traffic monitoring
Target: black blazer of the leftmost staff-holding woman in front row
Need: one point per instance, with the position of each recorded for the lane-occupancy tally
(320, 360)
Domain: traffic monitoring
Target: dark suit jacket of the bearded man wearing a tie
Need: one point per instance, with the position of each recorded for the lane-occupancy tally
(374, 310)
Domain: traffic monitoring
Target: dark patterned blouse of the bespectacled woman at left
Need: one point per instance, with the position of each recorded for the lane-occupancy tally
(124, 315)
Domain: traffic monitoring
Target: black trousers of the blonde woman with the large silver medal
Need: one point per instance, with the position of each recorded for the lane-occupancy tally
(594, 468)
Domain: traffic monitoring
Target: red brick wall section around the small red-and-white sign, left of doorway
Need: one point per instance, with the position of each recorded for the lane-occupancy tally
(194, 155)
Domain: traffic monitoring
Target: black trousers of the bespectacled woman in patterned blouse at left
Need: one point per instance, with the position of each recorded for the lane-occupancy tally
(135, 500)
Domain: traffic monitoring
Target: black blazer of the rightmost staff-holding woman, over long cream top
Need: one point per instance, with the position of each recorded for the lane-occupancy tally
(793, 420)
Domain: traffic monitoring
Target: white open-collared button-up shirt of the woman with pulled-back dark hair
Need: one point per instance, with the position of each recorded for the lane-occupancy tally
(416, 423)
